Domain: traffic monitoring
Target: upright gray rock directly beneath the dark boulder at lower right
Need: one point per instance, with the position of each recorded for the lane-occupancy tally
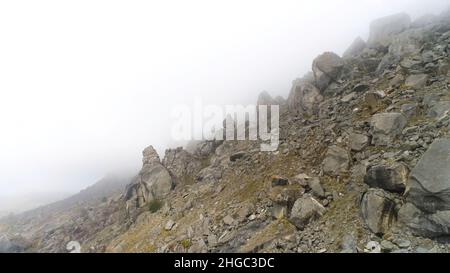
(378, 211)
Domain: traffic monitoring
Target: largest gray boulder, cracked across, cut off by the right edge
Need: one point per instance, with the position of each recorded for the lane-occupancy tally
(427, 211)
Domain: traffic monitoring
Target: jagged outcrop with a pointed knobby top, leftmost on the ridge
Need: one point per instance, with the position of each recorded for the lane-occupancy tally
(153, 181)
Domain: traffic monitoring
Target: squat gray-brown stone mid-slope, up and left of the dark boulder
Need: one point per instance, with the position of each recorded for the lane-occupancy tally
(336, 161)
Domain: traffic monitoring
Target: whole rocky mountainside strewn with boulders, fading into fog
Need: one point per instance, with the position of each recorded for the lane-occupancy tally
(362, 166)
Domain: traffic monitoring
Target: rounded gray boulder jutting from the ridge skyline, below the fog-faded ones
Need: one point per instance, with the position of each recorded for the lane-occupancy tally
(326, 68)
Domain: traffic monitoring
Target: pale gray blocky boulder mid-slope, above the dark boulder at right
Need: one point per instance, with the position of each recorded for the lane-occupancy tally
(386, 127)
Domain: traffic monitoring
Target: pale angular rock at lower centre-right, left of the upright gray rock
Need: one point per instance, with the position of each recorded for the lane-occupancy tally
(305, 210)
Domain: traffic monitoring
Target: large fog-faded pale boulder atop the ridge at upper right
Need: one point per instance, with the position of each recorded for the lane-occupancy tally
(383, 29)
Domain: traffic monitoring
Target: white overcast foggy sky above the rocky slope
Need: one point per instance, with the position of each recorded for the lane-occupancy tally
(86, 85)
